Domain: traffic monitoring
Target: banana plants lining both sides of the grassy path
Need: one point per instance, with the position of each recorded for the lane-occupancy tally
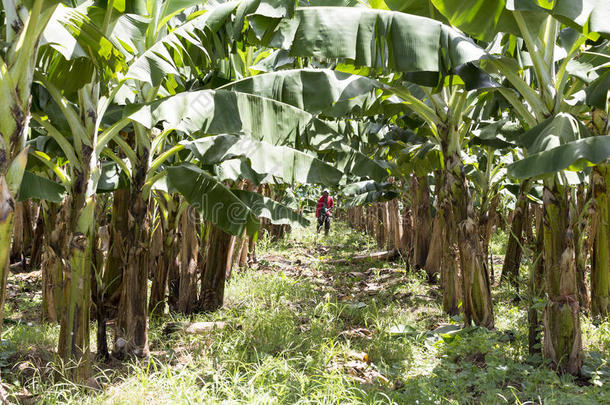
(149, 139)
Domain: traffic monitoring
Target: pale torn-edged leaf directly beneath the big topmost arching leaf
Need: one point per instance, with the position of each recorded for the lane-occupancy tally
(314, 90)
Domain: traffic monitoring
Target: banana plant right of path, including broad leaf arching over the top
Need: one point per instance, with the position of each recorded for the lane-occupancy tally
(434, 54)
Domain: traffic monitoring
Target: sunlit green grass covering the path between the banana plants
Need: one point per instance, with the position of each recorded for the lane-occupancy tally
(300, 333)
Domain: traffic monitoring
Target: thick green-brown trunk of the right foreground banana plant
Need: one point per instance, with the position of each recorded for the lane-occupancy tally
(562, 335)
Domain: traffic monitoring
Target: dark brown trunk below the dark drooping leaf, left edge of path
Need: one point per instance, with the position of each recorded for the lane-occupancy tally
(213, 279)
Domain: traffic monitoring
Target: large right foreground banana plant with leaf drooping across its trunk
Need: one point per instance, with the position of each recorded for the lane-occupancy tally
(543, 105)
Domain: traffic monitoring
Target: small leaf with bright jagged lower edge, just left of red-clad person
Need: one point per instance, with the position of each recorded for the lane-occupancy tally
(264, 207)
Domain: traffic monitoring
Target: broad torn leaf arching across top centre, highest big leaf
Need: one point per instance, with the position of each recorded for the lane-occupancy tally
(375, 38)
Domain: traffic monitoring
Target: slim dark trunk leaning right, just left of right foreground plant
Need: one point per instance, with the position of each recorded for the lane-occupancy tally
(512, 257)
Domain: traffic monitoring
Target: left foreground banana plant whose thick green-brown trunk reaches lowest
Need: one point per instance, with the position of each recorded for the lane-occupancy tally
(82, 141)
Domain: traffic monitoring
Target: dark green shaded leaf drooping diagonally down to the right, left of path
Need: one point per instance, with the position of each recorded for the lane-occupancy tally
(213, 200)
